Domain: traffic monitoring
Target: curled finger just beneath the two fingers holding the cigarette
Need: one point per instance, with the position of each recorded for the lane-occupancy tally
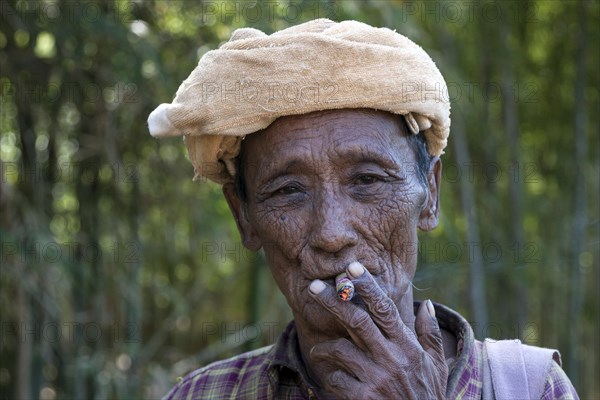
(345, 355)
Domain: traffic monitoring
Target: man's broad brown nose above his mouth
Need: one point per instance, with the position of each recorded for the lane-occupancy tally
(332, 228)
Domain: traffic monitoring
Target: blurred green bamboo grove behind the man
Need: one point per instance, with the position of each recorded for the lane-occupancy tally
(119, 274)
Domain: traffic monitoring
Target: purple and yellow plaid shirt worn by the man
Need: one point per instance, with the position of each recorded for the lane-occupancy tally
(277, 371)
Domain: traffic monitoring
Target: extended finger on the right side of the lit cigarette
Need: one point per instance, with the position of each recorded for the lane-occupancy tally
(382, 308)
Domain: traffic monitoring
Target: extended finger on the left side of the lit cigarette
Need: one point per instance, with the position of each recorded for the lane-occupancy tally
(358, 322)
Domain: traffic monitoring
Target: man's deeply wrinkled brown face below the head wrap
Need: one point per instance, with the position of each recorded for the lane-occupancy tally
(328, 188)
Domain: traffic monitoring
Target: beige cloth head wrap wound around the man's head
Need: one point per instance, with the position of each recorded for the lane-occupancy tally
(255, 78)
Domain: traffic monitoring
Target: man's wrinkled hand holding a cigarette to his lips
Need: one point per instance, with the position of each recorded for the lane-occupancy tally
(384, 358)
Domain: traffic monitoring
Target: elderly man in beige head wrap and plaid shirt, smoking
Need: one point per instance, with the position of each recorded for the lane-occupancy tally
(326, 138)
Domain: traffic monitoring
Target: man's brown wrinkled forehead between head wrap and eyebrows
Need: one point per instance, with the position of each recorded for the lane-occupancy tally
(297, 140)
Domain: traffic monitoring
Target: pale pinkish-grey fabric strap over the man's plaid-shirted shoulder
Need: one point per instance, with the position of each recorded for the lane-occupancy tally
(512, 370)
